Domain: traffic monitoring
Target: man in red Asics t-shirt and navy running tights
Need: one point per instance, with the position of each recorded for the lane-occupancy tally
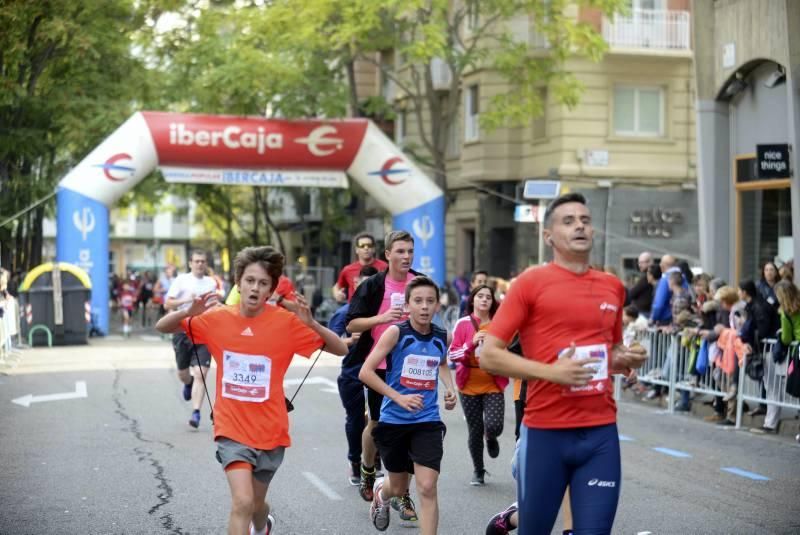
(569, 319)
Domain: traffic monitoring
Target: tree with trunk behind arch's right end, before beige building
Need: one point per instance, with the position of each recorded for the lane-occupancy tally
(466, 35)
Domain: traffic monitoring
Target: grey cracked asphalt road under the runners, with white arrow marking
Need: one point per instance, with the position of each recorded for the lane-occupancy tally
(123, 459)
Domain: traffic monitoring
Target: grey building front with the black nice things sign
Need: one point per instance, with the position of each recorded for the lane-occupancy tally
(748, 122)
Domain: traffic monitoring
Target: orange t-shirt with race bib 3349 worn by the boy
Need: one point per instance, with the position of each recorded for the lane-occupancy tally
(252, 356)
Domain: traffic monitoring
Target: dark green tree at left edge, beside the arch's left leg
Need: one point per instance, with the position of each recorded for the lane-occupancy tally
(67, 78)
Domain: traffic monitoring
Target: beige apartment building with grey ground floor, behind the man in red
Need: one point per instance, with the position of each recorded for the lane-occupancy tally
(628, 146)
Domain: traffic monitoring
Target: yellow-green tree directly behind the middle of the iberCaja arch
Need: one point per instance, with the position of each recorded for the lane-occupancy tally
(231, 57)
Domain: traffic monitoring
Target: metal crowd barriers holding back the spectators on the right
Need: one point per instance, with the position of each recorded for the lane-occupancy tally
(672, 361)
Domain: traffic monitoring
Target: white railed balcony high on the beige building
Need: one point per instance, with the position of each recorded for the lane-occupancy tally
(649, 29)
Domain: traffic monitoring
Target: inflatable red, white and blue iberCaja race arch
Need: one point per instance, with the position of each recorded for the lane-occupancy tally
(211, 149)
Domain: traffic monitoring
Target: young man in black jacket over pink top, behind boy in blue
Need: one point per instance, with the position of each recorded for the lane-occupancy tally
(377, 304)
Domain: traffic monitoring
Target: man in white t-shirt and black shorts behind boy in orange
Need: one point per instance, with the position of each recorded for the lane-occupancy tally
(182, 292)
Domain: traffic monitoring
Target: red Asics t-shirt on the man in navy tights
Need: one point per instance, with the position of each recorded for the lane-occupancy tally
(551, 307)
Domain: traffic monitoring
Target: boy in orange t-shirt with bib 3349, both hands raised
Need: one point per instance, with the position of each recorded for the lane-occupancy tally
(253, 344)
